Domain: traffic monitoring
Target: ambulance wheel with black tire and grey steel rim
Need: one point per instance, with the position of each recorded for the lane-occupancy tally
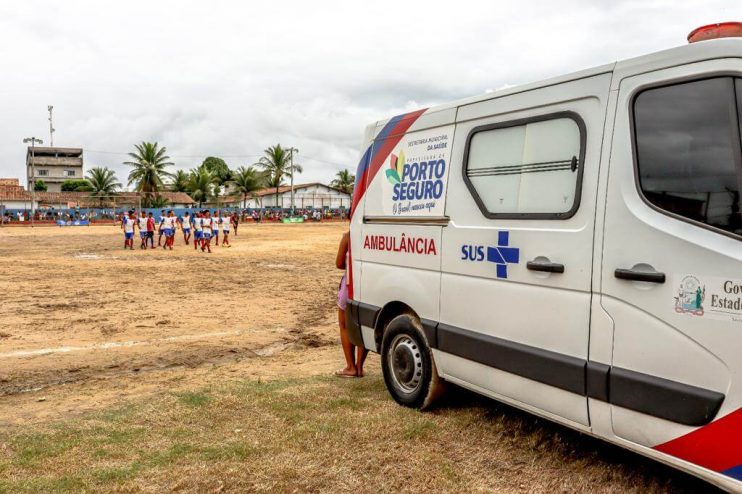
(407, 362)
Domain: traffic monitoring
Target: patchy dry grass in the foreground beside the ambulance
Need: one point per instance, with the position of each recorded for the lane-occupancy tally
(318, 434)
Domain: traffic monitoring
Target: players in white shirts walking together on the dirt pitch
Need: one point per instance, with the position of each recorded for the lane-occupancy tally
(204, 227)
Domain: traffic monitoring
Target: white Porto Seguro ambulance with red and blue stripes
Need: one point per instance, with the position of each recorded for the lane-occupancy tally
(571, 247)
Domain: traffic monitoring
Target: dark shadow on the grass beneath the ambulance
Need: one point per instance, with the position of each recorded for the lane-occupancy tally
(575, 445)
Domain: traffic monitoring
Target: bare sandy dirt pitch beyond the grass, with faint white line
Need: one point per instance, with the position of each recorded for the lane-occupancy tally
(86, 323)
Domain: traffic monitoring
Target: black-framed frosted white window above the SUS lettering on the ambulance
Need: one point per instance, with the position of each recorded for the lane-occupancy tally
(527, 168)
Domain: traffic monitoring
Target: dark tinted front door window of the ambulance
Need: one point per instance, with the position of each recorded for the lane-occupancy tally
(688, 151)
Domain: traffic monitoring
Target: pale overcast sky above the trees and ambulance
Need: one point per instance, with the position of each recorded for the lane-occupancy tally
(231, 78)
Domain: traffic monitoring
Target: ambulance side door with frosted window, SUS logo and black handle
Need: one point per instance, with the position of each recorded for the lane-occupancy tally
(517, 254)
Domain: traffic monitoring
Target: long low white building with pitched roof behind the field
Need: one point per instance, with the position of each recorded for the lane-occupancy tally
(314, 196)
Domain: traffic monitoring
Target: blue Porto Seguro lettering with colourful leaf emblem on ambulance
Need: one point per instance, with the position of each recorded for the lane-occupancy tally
(416, 181)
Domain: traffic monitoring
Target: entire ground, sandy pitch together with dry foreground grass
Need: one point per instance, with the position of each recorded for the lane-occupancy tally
(157, 371)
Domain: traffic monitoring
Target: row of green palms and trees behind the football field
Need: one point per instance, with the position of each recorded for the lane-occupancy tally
(150, 176)
